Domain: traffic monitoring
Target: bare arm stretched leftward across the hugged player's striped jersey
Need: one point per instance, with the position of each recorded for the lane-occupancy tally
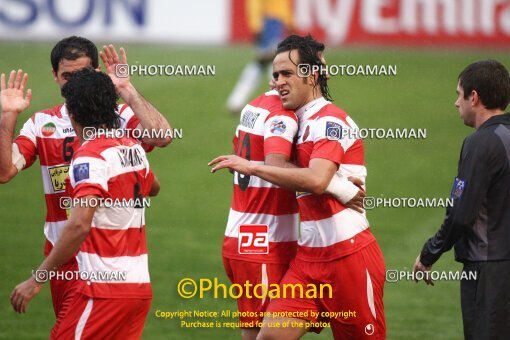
(313, 179)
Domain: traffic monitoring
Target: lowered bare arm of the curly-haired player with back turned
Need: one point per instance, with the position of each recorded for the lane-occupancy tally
(74, 233)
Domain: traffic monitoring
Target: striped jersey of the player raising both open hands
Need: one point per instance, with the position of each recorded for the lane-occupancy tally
(49, 135)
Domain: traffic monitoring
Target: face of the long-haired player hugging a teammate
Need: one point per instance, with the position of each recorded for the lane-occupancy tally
(295, 92)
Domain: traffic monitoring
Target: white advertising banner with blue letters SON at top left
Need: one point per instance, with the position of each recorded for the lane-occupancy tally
(174, 21)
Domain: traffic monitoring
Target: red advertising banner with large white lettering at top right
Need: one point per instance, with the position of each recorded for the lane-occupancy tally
(446, 23)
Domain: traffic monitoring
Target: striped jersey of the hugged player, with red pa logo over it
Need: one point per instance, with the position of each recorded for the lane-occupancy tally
(259, 207)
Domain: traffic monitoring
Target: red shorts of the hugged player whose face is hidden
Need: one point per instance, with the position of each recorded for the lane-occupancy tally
(239, 272)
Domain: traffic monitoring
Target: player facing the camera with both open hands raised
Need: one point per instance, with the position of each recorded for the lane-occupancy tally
(49, 136)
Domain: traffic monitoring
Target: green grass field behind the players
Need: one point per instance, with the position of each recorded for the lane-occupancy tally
(186, 222)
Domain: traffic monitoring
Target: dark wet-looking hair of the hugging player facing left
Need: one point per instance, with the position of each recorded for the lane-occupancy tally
(309, 51)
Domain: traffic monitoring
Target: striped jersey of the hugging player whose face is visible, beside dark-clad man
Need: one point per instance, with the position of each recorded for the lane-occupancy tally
(328, 230)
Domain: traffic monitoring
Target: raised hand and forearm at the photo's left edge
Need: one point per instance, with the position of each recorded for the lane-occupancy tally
(13, 101)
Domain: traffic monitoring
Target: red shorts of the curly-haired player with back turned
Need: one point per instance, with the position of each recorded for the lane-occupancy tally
(92, 318)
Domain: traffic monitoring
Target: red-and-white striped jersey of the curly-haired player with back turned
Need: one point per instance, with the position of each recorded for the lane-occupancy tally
(115, 169)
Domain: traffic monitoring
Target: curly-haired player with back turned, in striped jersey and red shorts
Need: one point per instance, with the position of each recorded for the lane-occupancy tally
(109, 239)
